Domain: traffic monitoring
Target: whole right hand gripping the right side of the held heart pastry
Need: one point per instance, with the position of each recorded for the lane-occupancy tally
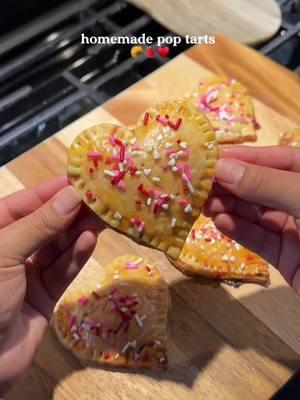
(256, 202)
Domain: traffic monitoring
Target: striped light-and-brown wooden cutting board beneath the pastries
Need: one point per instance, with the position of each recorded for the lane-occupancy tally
(225, 343)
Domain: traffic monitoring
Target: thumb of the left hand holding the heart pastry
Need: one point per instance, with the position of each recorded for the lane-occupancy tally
(22, 238)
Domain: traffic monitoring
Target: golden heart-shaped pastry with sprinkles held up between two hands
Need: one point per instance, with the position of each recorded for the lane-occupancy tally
(151, 182)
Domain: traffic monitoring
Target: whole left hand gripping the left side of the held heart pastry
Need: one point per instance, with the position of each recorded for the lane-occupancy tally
(42, 248)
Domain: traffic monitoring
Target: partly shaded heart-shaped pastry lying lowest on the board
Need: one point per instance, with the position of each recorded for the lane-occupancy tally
(122, 322)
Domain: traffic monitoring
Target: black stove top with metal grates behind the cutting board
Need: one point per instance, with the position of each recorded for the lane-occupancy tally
(48, 79)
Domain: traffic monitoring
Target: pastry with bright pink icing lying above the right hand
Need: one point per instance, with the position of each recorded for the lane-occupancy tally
(228, 106)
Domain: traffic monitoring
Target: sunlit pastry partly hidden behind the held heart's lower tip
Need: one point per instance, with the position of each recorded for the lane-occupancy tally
(209, 253)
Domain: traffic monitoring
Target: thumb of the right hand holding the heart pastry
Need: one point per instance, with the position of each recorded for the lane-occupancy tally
(270, 187)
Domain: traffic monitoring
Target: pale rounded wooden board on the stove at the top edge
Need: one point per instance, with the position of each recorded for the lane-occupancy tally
(249, 22)
